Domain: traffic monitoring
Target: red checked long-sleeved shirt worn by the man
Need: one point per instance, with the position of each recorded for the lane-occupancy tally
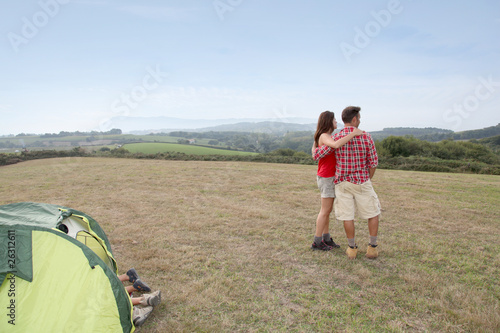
(354, 159)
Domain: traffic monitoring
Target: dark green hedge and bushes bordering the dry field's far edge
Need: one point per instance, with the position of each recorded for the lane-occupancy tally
(401, 153)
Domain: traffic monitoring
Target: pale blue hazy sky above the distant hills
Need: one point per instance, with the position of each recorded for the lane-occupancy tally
(75, 65)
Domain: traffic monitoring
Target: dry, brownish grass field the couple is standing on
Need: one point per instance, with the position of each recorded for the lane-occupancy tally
(228, 244)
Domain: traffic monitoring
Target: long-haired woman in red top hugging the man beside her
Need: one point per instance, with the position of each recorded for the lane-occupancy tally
(325, 177)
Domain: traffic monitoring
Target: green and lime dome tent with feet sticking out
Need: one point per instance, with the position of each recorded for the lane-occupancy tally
(57, 273)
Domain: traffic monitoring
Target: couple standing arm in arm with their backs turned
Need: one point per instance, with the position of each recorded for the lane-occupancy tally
(346, 164)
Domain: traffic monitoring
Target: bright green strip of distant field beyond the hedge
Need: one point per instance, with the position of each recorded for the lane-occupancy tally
(153, 148)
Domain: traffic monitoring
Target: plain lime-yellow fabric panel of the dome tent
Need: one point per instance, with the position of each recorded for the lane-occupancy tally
(67, 293)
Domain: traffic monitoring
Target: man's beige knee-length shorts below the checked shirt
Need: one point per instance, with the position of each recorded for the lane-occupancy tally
(353, 197)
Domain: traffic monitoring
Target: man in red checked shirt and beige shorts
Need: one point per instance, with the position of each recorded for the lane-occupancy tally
(356, 164)
